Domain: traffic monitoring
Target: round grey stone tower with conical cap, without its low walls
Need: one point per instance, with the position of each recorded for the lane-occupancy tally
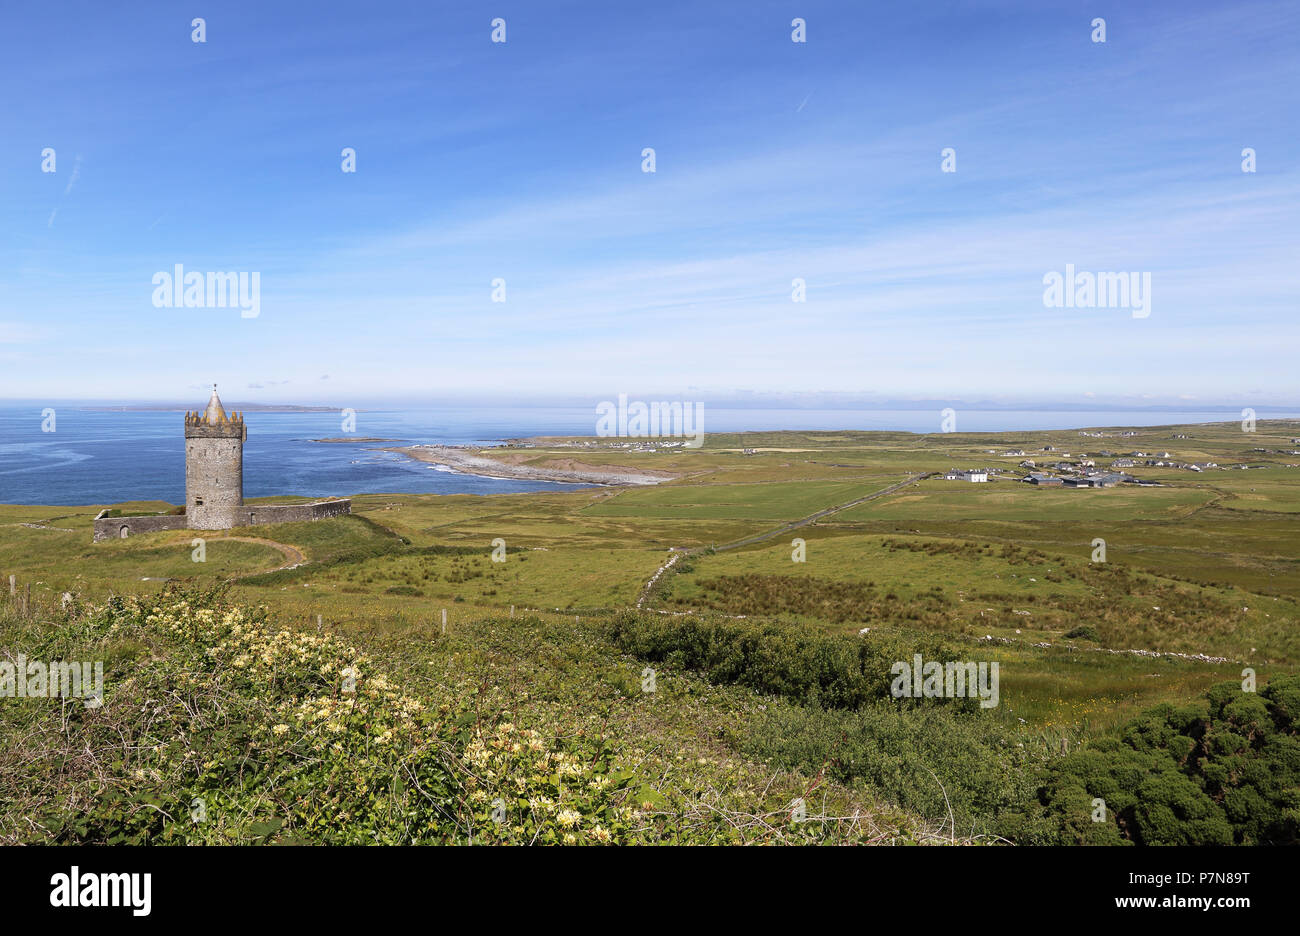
(214, 467)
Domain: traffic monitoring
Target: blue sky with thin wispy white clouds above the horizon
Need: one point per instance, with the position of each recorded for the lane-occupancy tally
(774, 161)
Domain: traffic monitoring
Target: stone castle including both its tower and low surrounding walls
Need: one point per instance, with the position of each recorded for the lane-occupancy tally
(214, 484)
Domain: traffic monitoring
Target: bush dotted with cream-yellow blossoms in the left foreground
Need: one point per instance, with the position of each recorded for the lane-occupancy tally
(240, 731)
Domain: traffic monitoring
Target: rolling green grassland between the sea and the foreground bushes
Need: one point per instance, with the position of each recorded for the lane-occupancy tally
(1199, 582)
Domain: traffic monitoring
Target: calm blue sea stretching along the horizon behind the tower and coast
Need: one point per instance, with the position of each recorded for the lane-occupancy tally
(98, 457)
